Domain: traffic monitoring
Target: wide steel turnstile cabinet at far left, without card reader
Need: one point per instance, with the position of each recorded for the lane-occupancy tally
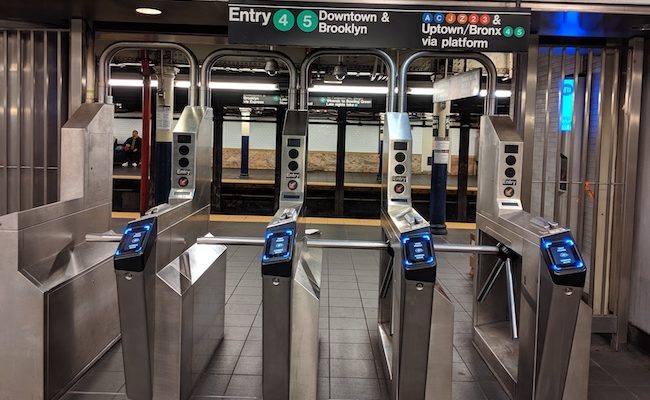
(58, 293)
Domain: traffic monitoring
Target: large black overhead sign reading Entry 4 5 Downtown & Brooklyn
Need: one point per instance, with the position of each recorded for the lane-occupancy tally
(319, 24)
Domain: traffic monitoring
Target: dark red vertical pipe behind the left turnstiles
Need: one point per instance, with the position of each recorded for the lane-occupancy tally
(146, 134)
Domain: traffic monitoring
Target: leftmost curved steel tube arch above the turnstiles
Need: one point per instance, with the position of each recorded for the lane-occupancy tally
(110, 52)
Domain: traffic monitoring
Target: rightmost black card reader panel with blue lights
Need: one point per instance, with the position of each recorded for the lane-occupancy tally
(563, 260)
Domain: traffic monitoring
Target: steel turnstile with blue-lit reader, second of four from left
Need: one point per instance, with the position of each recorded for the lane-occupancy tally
(291, 277)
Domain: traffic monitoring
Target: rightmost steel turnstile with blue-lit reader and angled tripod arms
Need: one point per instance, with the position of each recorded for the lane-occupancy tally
(539, 298)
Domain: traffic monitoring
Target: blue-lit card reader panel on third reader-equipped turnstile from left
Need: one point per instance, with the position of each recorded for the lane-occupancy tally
(418, 257)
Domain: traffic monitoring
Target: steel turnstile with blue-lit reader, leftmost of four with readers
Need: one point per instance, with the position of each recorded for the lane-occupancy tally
(171, 297)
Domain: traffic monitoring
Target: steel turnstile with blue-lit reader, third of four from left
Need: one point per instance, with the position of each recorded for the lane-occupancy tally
(415, 316)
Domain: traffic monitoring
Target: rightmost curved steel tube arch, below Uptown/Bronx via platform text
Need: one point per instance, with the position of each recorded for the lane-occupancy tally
(491, 104)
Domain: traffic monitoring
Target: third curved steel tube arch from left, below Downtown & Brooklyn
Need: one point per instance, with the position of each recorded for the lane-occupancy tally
(382, 55)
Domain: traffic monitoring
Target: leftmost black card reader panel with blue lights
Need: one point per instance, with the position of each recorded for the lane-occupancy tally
(136, 244)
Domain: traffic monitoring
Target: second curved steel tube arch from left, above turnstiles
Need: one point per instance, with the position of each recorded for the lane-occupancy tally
(212, 58)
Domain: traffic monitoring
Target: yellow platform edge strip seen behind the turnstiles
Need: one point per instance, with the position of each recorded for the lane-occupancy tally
(309, 220)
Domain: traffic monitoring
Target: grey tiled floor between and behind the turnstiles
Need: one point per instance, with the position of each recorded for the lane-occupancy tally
(349, 367)
